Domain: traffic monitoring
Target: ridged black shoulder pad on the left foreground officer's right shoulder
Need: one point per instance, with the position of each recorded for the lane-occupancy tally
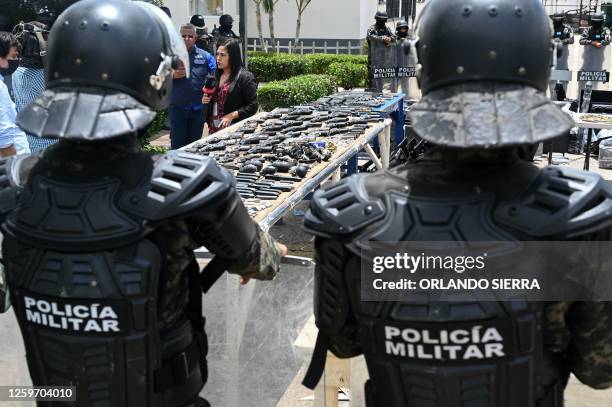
(182, 183)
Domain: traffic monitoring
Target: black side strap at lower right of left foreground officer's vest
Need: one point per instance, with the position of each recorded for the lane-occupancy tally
(175, 371)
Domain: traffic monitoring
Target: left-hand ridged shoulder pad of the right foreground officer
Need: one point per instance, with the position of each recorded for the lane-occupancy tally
(342, 208)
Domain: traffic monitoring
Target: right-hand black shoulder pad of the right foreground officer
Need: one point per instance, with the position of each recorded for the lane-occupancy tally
(562, 203)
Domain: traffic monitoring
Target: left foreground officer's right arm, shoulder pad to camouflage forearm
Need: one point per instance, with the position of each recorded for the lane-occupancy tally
(196, 188)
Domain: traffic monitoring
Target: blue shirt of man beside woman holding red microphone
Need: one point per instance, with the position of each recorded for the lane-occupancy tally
(187, 92)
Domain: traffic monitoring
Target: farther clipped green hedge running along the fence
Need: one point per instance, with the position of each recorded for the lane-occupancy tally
(269, 67)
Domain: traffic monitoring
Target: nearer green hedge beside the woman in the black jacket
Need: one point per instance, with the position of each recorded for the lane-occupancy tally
(295, 91)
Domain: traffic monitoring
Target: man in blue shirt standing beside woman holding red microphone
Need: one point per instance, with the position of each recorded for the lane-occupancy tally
(186, 110)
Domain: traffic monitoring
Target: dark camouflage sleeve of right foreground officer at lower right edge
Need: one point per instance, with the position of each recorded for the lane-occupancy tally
(583, 329)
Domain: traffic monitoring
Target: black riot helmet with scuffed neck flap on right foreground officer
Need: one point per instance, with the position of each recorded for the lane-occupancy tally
(490, 89)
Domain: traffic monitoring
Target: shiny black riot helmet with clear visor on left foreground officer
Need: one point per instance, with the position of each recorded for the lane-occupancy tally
(109, 68)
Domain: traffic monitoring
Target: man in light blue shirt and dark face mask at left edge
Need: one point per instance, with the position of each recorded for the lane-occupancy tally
(12, 138)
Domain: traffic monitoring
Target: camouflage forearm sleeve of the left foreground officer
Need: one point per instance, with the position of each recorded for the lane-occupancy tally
(262, 261)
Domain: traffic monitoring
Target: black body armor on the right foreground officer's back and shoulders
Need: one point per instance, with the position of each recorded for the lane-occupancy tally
(498, 356)
